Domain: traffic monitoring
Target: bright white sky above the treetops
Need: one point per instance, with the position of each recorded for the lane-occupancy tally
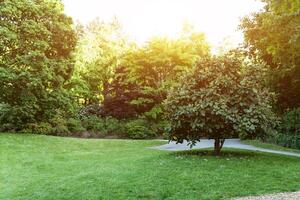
(142, 19)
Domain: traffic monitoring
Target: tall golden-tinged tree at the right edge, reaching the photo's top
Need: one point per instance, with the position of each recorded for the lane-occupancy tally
(274, 35)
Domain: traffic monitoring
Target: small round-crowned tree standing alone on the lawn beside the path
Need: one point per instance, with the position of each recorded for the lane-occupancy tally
(219, 98)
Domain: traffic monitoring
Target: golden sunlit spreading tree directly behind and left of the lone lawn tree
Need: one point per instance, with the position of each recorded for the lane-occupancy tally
(155, 66)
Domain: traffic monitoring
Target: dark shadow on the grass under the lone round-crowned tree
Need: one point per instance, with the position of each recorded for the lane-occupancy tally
(224, 153)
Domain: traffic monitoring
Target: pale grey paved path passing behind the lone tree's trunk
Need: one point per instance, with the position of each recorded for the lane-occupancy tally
(231, 143)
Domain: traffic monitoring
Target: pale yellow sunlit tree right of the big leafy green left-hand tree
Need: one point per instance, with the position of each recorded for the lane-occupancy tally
(99, 51)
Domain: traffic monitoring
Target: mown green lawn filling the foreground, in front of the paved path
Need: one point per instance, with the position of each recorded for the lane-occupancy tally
(44, 167)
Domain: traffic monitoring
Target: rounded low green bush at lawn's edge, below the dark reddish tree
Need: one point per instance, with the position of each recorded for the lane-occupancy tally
(138, 129)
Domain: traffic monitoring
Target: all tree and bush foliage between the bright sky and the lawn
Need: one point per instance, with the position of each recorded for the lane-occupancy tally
(61, 78)
